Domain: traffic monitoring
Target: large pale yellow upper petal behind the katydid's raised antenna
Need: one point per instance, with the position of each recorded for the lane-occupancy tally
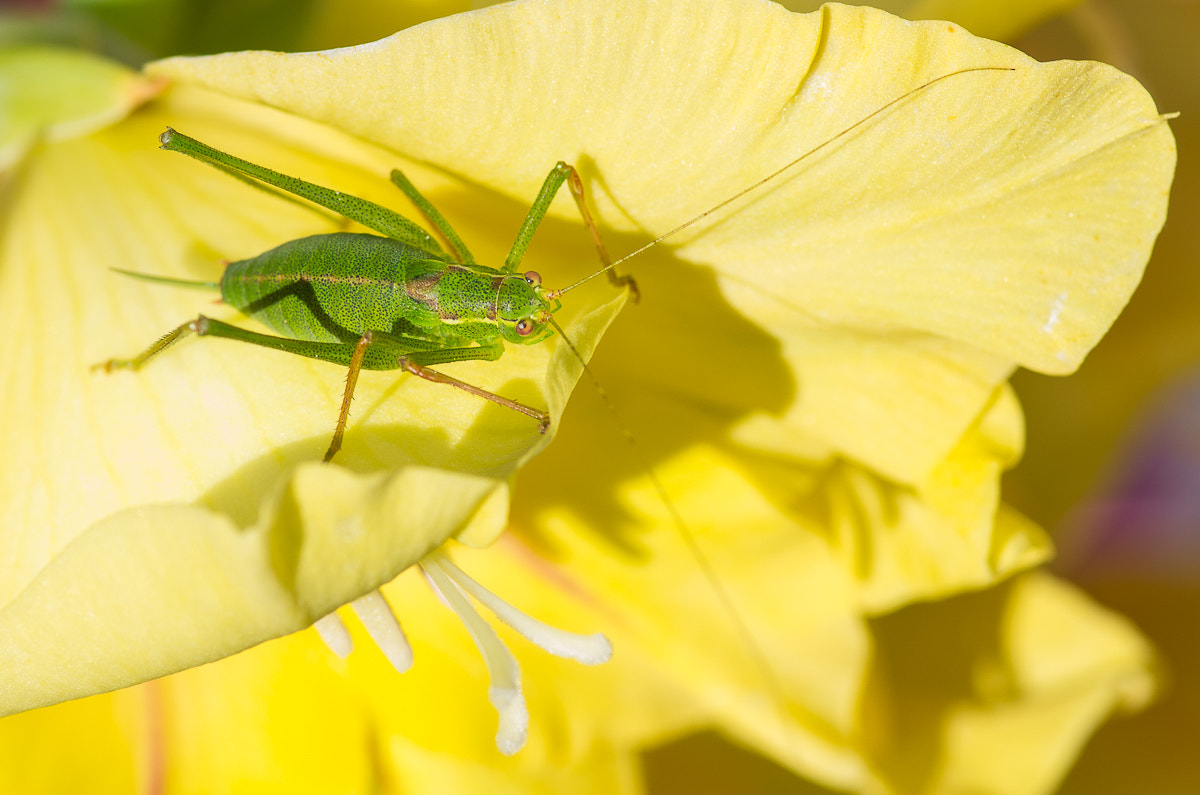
(1004, 218)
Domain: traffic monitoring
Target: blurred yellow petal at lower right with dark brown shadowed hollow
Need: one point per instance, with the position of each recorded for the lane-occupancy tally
(1007, 714)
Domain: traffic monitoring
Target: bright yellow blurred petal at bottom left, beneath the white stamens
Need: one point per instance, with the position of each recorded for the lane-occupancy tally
(290, 718)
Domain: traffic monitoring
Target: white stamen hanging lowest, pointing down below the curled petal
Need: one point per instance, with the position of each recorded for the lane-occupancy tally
(505, 692)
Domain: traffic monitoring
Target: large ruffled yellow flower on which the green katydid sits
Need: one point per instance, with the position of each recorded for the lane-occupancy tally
(818, 374)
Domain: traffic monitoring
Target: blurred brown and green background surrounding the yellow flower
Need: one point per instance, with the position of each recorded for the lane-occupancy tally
(1113, 461)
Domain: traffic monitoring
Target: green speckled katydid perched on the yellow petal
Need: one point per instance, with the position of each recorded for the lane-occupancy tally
(381, 303)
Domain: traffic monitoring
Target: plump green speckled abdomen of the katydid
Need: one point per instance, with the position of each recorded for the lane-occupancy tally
(327, 288)
